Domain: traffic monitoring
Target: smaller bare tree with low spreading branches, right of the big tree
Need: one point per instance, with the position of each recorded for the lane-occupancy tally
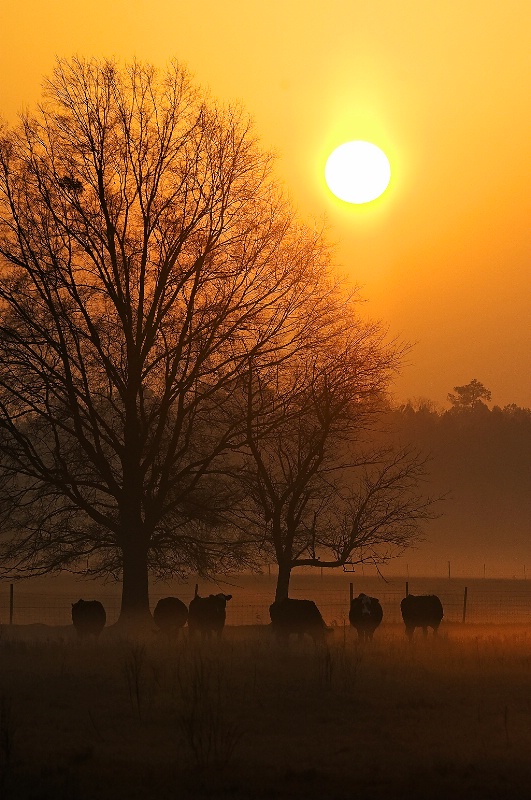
(317, 488)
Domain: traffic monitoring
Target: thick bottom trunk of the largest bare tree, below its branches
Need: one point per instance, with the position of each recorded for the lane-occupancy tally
(135, 584)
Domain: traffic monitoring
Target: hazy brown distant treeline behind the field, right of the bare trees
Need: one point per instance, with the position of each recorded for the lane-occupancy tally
(480, 459)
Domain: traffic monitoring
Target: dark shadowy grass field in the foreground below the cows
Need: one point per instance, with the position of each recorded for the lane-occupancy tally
(446, 718)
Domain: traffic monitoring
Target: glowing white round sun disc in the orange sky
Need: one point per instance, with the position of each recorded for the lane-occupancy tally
(357, 172)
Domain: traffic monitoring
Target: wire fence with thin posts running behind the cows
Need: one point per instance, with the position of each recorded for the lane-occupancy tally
(506, 602)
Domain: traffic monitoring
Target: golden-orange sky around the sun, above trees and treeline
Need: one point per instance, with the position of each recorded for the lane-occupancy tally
(442, 86)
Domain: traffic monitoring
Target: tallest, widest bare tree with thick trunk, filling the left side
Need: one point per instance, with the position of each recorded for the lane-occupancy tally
(146, 258)
